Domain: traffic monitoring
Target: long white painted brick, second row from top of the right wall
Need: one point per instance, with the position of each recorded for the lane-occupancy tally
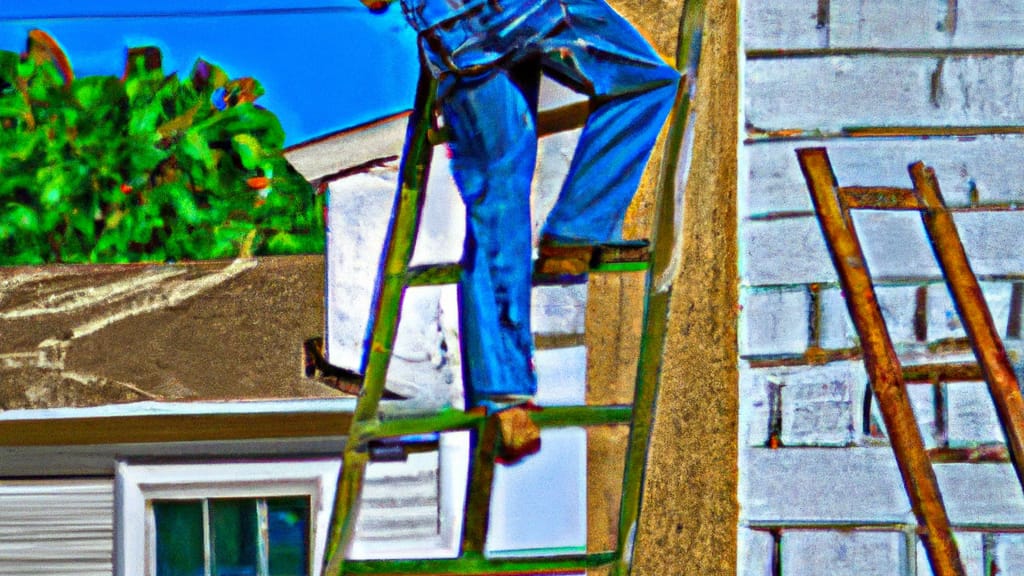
(833, 93)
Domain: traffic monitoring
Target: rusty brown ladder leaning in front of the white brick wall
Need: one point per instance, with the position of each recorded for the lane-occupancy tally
(834, 205)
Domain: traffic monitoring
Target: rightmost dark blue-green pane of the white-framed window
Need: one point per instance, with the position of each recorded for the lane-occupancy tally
(288, 527)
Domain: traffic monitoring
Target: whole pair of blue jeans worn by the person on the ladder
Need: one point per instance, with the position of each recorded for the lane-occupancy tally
(489, 58)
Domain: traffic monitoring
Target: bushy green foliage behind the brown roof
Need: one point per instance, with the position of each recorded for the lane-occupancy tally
(148, 168)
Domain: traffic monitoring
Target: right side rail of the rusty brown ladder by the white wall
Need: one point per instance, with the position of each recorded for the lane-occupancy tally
(974, 313)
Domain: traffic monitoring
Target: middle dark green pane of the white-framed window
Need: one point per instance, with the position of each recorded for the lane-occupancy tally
(234, 531)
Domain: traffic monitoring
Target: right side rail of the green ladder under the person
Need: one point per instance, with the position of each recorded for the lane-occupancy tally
(658, 287)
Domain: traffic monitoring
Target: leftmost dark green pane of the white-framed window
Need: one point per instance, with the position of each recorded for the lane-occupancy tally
(180, 538)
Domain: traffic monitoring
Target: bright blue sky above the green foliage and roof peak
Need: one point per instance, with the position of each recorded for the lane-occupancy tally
(326, 65)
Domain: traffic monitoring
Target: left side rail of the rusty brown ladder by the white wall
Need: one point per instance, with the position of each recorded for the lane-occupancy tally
(882, 365)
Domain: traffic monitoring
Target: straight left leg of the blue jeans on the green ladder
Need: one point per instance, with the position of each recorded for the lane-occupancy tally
(494, 150)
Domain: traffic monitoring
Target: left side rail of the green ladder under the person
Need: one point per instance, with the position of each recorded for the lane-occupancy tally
(392, 287)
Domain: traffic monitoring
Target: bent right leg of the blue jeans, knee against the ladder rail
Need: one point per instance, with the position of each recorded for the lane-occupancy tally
(602, 55)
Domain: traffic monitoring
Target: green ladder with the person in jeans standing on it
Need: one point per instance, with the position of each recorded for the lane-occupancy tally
(367, 425)
